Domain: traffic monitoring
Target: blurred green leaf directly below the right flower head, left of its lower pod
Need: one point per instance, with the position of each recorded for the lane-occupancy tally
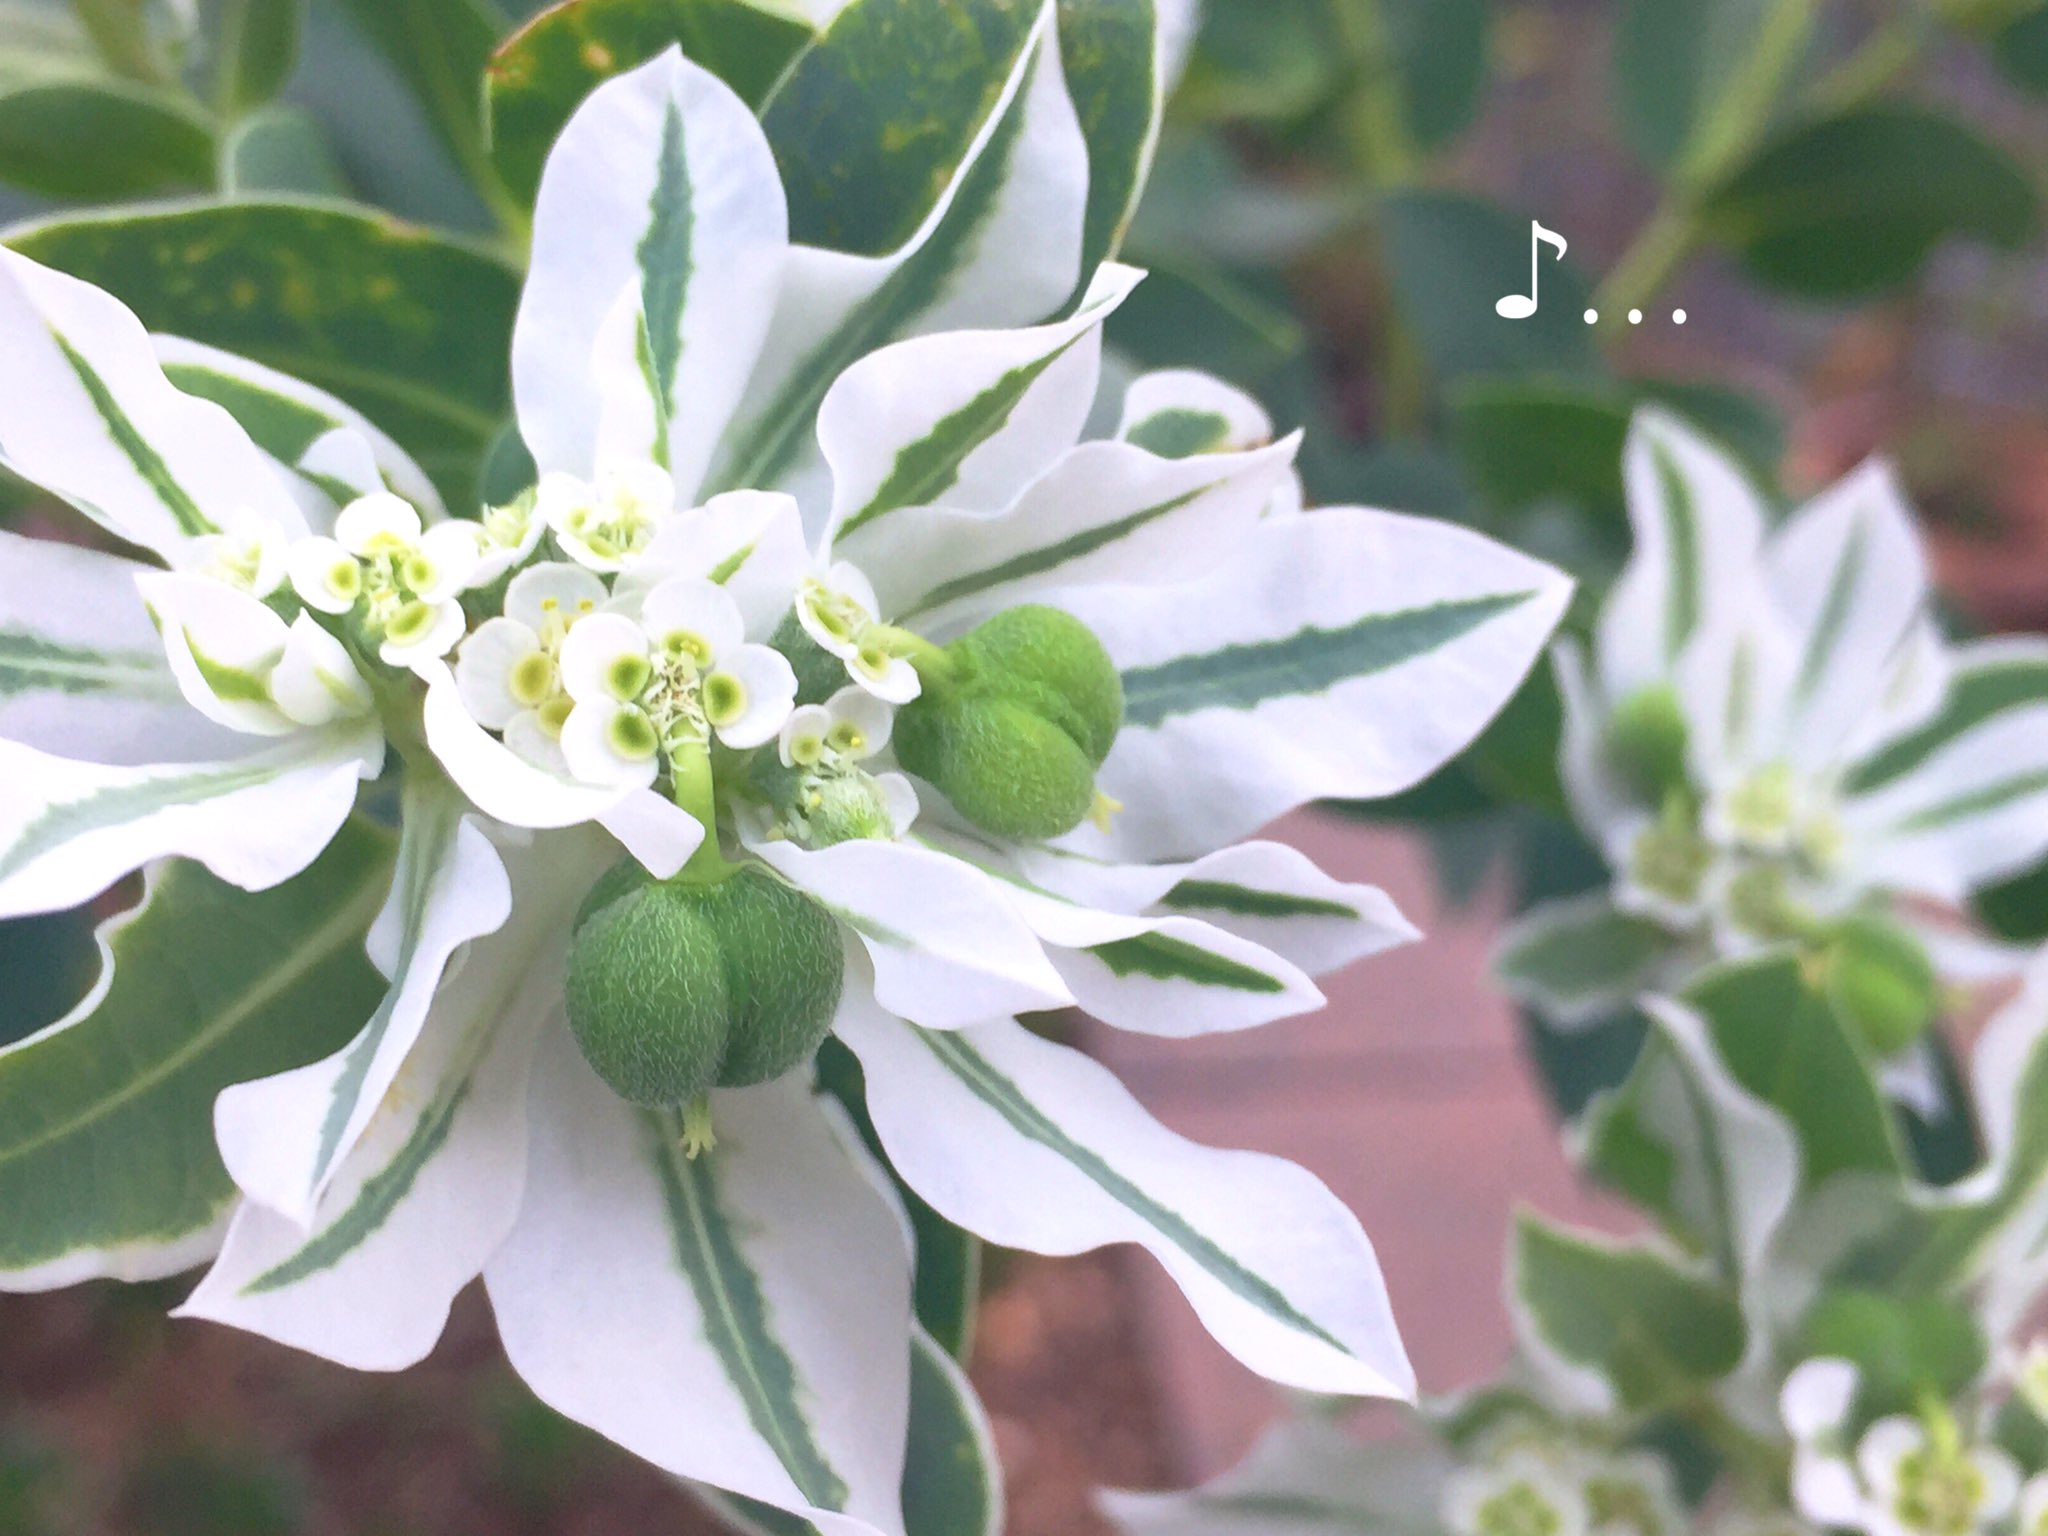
(1783, 1043)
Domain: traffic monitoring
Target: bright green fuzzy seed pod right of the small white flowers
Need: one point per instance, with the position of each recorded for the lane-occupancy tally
(1019, 726)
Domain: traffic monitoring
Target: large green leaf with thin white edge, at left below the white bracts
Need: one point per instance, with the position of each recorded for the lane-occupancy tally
(108, 1160)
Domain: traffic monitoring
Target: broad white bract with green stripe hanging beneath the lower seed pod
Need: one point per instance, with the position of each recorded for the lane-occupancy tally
(757, 1299)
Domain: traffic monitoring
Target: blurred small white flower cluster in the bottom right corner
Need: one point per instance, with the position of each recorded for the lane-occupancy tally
(1902, 1476)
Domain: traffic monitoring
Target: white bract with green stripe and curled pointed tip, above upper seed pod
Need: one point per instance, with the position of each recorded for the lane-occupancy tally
(962, 419)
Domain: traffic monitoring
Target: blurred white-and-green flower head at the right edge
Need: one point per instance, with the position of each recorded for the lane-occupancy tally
(1770, 738)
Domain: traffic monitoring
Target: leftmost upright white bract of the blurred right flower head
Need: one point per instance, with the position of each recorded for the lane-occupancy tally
(1697, 525)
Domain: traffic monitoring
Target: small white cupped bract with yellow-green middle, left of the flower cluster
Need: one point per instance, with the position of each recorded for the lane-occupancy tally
(222, 648)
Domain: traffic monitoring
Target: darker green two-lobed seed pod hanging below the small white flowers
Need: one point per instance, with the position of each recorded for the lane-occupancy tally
(679, 988)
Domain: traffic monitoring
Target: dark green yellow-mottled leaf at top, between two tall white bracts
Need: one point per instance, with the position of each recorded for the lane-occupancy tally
(878, 120)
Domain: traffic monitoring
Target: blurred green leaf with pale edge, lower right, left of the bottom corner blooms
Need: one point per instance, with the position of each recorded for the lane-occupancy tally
(1660, 1334)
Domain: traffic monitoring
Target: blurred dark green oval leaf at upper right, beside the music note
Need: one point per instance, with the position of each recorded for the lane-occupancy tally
(1857, 204)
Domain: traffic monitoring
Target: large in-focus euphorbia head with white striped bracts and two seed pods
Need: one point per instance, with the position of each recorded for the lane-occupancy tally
(794, 515)
